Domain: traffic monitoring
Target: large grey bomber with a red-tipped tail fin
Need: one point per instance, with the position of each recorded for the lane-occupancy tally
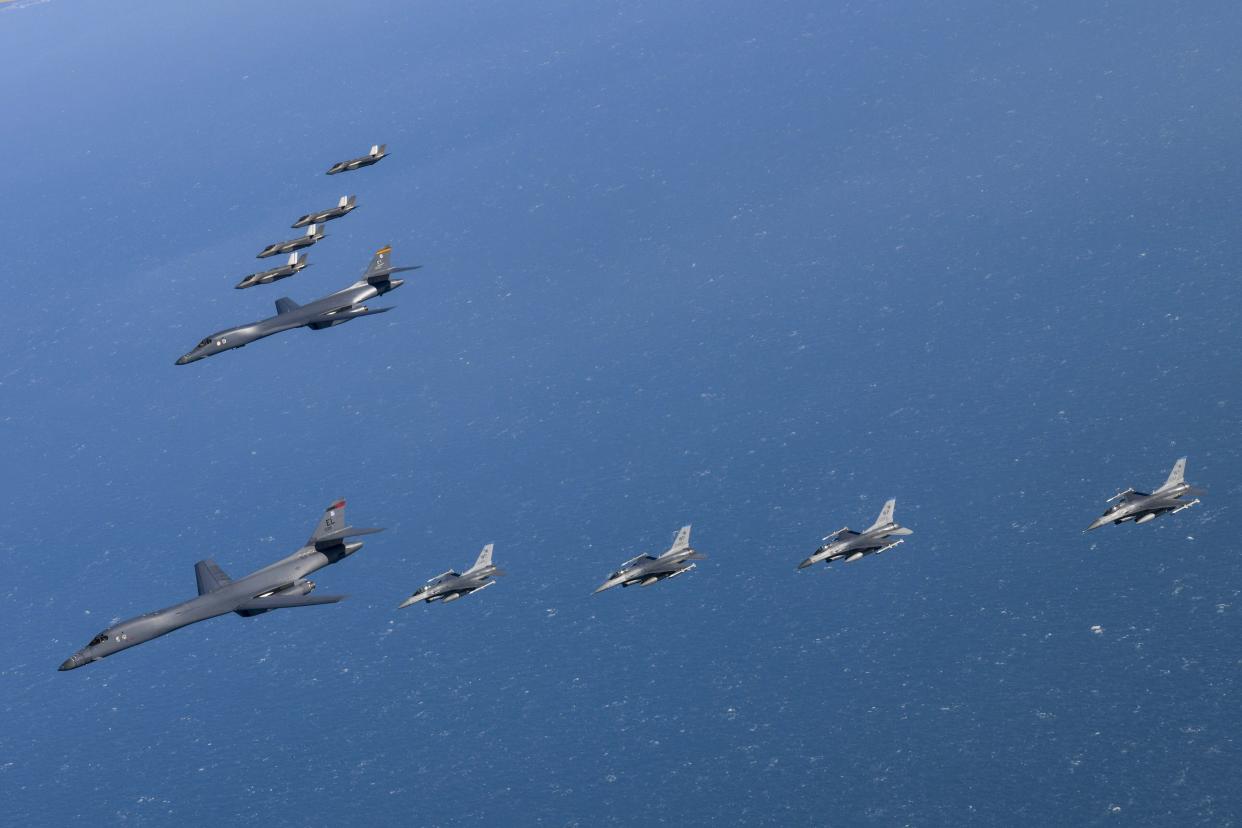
(279, 587)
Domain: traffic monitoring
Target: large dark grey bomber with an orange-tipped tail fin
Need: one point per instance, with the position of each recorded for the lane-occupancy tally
(335, 310)
